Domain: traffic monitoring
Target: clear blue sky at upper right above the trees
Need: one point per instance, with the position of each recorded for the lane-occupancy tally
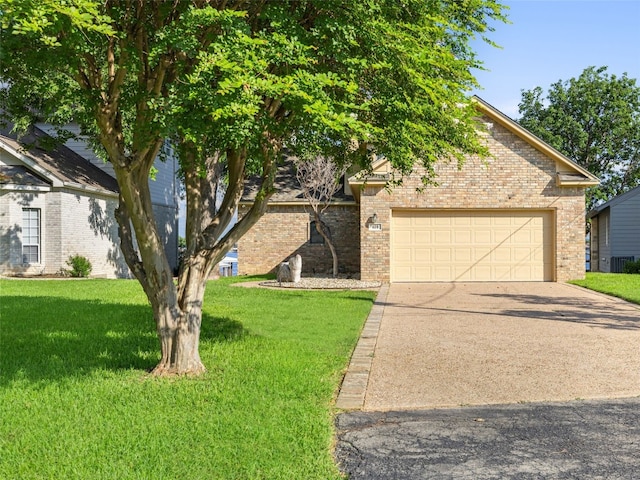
(549, 40)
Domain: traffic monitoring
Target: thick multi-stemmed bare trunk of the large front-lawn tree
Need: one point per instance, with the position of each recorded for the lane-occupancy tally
(177, 309)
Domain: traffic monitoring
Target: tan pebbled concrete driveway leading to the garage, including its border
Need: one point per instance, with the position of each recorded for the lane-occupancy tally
(452, 344)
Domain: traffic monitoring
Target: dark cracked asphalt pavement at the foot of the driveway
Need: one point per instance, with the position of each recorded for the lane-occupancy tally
(595, 439)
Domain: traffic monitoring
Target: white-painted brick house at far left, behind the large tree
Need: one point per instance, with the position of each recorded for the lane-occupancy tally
(55, 202)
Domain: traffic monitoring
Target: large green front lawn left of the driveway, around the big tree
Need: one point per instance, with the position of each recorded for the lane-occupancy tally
(76, 401)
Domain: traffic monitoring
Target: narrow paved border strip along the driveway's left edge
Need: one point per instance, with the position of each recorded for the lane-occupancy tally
(354, 385)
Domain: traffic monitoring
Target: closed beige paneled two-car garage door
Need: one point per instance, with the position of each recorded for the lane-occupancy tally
(468, 246)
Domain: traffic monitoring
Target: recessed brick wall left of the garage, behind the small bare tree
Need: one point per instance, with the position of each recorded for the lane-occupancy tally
(283, 231)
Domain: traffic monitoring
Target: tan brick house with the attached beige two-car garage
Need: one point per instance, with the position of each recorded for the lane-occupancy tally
(517, 215)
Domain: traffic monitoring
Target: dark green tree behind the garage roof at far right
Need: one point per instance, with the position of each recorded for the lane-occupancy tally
(594, 120)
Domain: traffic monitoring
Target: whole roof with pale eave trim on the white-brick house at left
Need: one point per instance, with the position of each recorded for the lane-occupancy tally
(59, 166)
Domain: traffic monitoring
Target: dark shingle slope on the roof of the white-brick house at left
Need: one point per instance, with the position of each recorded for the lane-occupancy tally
(59, 161)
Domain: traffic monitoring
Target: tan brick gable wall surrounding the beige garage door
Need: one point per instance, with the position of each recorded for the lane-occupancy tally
(515, 176)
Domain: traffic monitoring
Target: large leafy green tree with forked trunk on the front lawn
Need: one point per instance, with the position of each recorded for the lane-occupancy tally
(231, 82)
